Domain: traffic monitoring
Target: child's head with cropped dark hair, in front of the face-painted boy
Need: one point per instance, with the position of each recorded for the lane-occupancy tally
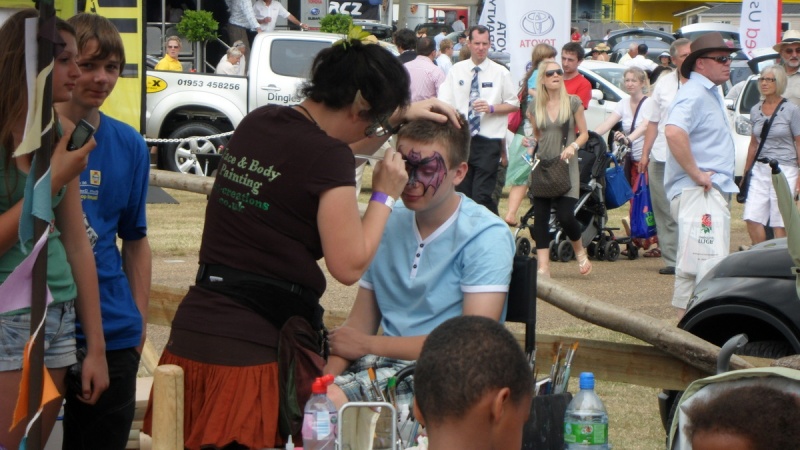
(473, 386)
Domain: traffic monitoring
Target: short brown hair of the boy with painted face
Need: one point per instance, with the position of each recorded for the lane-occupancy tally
(456, 140)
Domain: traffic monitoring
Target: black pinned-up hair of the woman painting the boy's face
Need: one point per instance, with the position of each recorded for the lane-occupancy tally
(342, 70)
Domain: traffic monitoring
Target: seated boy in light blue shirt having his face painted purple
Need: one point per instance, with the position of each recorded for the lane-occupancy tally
(442, 255)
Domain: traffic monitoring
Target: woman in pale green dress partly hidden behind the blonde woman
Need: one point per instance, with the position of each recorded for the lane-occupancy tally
(518, 168)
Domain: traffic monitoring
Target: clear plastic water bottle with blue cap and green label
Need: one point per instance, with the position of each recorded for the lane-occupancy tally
(586, 419)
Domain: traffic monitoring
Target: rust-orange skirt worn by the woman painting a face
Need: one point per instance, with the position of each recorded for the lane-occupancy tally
(225, 404)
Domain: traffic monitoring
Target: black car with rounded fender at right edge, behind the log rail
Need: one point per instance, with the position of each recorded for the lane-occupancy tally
(752, 292)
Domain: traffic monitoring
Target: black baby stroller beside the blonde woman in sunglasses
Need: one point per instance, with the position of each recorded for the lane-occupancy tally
(590, 210)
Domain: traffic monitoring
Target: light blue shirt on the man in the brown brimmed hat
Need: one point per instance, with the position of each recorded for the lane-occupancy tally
(699, 110)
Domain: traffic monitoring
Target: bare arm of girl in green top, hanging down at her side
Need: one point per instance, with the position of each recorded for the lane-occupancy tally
(69, 217)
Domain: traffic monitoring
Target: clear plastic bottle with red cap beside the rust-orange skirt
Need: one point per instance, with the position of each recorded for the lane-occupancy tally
(320, 417)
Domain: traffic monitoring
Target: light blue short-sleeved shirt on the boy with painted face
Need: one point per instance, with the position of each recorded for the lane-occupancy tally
(420, 283)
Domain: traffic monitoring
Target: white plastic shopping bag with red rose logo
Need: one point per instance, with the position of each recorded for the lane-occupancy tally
(703, 229)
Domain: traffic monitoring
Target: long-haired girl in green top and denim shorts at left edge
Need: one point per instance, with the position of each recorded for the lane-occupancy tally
(68, 245)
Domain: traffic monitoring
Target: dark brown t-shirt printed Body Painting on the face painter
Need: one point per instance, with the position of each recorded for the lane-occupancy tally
(262, 213)
